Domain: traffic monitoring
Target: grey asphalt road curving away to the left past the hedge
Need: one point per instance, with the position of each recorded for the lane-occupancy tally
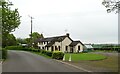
(21, 61)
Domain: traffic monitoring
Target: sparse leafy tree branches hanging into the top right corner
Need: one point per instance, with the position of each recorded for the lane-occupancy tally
(112, 5)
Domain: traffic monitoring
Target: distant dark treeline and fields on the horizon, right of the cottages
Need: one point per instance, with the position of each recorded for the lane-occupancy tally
(112, 47)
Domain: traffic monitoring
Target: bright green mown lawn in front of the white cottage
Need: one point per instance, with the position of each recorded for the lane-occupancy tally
(84, 56)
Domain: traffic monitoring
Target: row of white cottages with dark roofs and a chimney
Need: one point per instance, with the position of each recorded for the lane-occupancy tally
(60, 43)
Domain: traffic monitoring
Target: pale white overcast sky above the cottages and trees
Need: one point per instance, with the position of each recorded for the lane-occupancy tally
(85, 20)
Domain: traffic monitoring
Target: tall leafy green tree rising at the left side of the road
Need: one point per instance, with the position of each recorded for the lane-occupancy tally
(10, 20)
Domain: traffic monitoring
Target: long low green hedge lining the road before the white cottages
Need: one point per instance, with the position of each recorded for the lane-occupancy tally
(55, 55)
